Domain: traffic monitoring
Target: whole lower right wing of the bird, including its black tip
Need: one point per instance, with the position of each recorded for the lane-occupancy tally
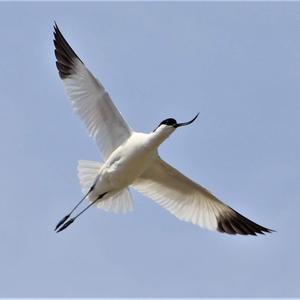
(190, 202)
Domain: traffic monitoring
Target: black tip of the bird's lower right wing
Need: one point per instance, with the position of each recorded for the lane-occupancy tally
(235, 223)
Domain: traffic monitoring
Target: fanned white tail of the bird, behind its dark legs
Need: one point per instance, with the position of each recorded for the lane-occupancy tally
(119, 202)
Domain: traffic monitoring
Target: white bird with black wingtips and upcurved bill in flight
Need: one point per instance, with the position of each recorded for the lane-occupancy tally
(131, 158)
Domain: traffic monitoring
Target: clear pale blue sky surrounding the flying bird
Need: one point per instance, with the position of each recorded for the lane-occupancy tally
(238, 64)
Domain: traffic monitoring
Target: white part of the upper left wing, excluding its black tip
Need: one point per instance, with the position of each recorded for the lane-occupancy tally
(96, 109)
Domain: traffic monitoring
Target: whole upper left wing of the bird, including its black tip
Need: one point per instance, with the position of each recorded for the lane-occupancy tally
(89, 98)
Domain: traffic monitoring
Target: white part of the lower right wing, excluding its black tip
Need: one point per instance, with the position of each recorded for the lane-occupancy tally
(181, 196)
